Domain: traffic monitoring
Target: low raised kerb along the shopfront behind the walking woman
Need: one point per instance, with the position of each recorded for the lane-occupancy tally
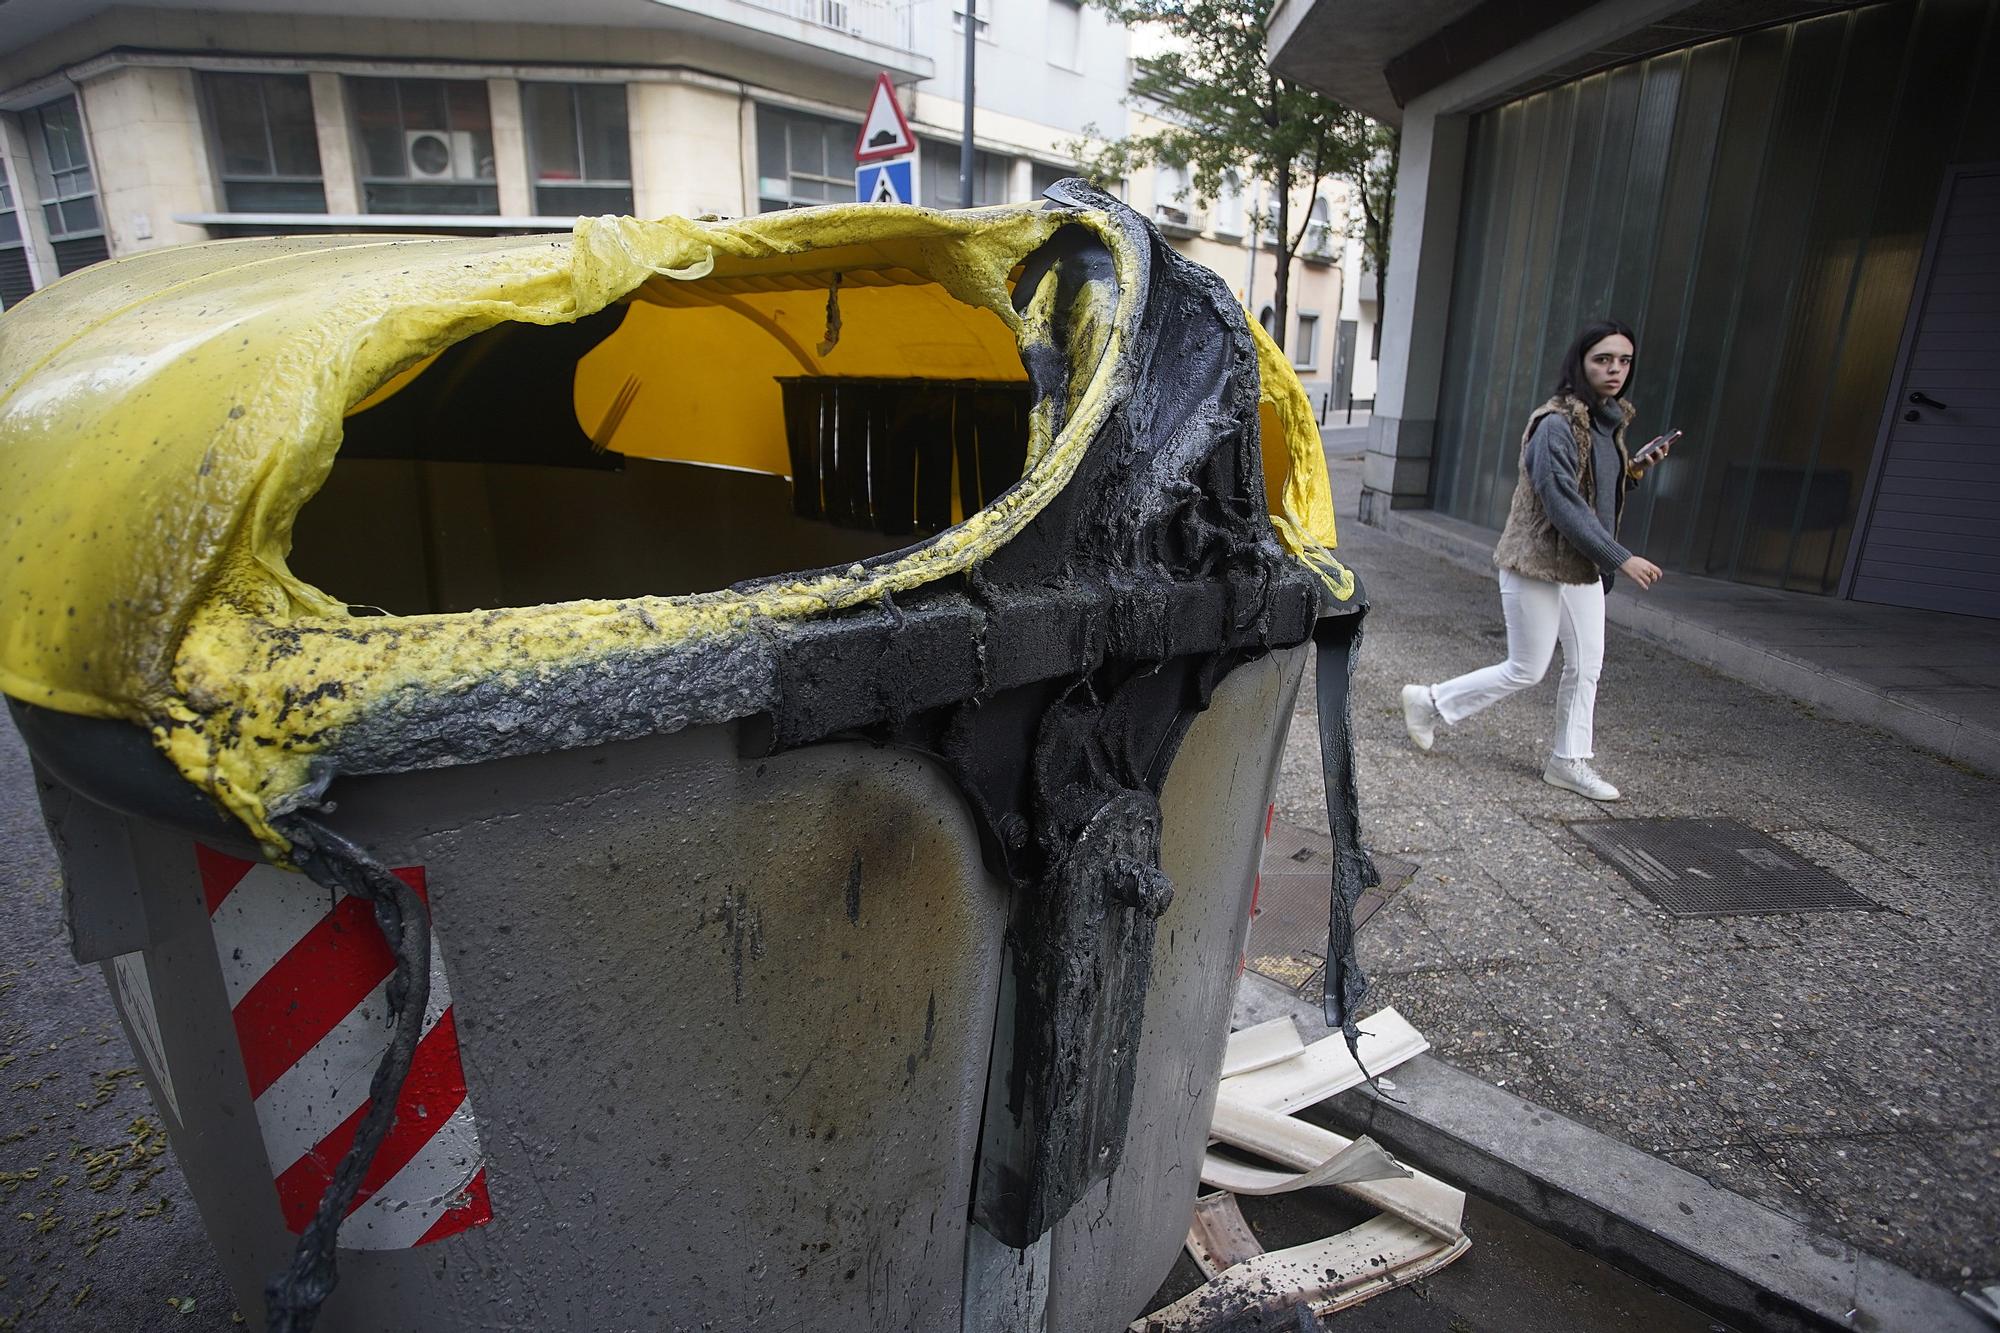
(1765, 668)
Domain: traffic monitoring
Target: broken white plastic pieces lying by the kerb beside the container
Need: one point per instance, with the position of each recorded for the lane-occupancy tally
(1269, 1074)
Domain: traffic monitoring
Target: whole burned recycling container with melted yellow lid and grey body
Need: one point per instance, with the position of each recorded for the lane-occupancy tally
(685, 776)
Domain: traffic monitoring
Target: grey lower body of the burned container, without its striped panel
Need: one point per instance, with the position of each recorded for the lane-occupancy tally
(727, 1028)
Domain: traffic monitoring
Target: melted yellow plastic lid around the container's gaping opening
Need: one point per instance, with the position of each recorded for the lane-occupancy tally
(165, 417)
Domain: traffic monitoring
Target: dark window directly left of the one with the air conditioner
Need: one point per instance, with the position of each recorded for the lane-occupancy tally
(263, 141)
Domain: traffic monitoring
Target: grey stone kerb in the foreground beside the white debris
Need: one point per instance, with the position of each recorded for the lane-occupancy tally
(1701, 1244)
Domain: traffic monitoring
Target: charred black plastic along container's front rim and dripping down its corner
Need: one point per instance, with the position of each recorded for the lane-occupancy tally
(1057, 684)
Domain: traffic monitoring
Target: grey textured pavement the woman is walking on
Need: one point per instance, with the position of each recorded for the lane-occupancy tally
(1833, 1066)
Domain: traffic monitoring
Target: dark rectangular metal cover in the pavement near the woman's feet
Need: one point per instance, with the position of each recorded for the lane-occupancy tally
(1717, 868)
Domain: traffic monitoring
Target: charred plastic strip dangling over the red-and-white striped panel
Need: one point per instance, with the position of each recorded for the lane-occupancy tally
(295, 1296)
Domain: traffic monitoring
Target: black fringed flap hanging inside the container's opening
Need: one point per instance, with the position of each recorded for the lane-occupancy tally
(889, 455)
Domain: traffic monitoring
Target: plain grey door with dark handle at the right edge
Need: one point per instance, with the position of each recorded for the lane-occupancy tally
(1933, 533)
